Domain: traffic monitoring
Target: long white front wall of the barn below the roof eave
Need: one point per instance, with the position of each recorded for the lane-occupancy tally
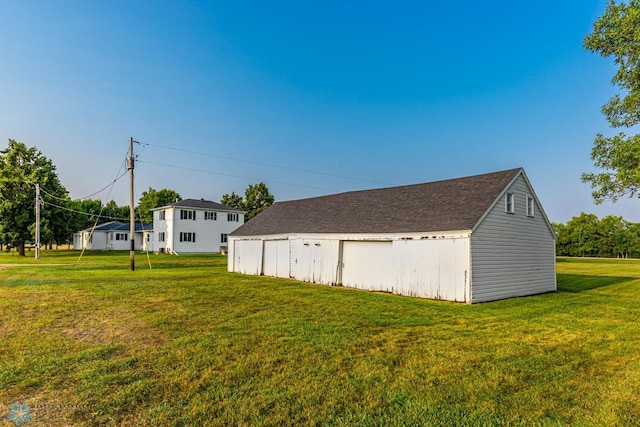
(430, 267)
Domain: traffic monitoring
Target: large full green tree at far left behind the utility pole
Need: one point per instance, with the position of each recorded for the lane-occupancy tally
(21, 168)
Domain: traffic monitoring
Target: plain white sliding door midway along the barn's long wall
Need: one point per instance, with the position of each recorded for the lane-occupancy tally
(367, 265)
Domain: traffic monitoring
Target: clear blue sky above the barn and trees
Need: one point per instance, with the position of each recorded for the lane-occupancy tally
(338, 95)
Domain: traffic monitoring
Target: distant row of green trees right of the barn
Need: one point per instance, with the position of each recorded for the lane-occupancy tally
(586, 235)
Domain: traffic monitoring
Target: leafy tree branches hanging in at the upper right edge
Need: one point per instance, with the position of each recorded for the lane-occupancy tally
(617, 34)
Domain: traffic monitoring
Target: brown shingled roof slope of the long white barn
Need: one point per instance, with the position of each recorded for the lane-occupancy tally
(455, 204)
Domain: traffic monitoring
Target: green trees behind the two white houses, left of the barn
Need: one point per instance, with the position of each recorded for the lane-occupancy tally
(22, 167)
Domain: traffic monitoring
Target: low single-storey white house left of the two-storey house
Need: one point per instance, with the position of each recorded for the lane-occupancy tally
(112, 236)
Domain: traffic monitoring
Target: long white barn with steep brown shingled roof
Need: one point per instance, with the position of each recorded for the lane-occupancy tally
(472, 239)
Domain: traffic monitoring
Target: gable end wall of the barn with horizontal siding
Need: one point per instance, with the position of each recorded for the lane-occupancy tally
(512, 254)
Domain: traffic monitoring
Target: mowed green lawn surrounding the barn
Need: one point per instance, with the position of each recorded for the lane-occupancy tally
(187, 343)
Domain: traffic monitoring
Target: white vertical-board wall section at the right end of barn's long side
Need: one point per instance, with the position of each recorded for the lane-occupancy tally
(432, 268)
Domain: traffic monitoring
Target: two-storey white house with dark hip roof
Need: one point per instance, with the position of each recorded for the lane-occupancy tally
(194, 226)
